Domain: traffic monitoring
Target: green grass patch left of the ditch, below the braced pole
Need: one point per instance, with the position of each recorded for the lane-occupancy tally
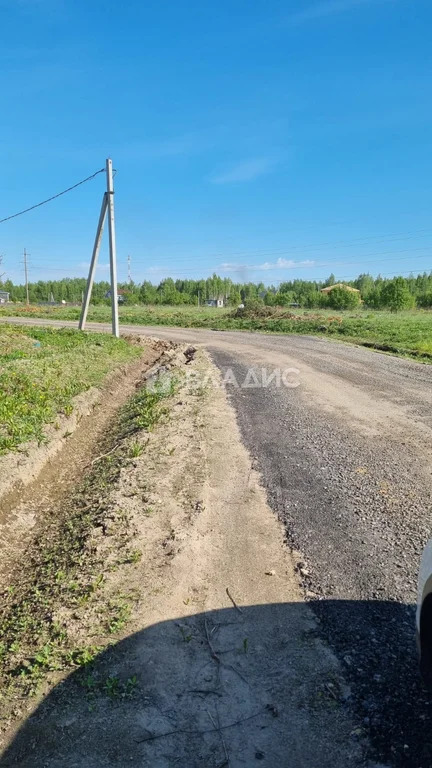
(42, 369)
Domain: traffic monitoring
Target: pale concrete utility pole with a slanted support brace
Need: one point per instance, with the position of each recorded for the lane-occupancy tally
(107, 207)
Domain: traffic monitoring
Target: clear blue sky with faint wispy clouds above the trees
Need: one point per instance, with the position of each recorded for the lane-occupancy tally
(262, 140)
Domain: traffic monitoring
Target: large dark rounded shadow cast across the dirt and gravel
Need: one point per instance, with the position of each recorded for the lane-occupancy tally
(199, 691)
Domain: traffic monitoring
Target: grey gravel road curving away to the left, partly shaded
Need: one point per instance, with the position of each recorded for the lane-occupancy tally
(344, 452)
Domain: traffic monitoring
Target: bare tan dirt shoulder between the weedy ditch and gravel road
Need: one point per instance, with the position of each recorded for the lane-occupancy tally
(221, 662)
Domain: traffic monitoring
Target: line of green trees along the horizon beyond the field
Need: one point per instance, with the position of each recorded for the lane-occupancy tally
(377, 293)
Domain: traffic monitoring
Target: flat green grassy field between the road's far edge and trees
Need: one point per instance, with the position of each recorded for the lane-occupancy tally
(404, 333)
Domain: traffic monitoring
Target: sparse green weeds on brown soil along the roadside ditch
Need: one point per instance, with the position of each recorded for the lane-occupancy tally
(63, 576)
